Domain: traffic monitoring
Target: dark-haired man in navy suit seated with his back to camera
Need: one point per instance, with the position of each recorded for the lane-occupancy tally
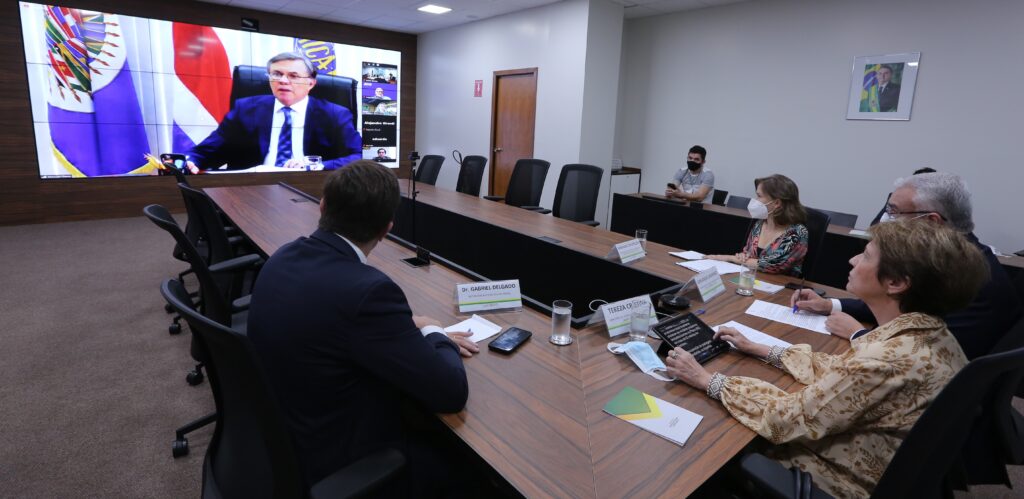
(342, 348)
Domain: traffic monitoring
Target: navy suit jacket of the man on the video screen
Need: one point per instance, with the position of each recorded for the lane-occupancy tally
(244, 137)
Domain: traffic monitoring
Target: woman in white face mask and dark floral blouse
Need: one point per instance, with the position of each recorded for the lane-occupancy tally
(779, 240)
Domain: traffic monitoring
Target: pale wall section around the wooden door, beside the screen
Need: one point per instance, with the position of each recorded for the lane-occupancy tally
(552, 38)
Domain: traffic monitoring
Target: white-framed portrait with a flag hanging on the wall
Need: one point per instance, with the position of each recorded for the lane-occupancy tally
(882, 87)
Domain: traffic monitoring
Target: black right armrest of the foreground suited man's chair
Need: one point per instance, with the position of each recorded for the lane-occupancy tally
(360, 478)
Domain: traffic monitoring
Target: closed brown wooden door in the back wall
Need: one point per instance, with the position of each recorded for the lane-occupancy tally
(514, 116)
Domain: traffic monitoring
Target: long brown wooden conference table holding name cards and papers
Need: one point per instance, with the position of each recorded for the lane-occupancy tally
(536, 417)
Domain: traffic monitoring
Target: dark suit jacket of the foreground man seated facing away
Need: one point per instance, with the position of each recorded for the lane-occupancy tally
(343, 353)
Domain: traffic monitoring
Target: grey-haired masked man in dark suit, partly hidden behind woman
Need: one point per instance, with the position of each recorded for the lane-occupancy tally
(944, 198)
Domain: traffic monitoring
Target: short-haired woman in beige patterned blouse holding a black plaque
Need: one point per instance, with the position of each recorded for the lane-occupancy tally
(845, 427)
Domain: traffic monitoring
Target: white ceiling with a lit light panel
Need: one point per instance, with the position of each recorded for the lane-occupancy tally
(402, 16)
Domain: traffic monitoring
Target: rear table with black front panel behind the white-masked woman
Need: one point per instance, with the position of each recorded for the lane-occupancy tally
(721, 230)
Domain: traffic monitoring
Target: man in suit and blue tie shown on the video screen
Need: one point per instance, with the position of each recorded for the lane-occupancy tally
(283, 129)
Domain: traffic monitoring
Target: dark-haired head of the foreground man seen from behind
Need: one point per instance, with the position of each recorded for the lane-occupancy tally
(360, 201)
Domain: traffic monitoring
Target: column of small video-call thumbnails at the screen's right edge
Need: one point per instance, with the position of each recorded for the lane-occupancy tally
(380, 113)
